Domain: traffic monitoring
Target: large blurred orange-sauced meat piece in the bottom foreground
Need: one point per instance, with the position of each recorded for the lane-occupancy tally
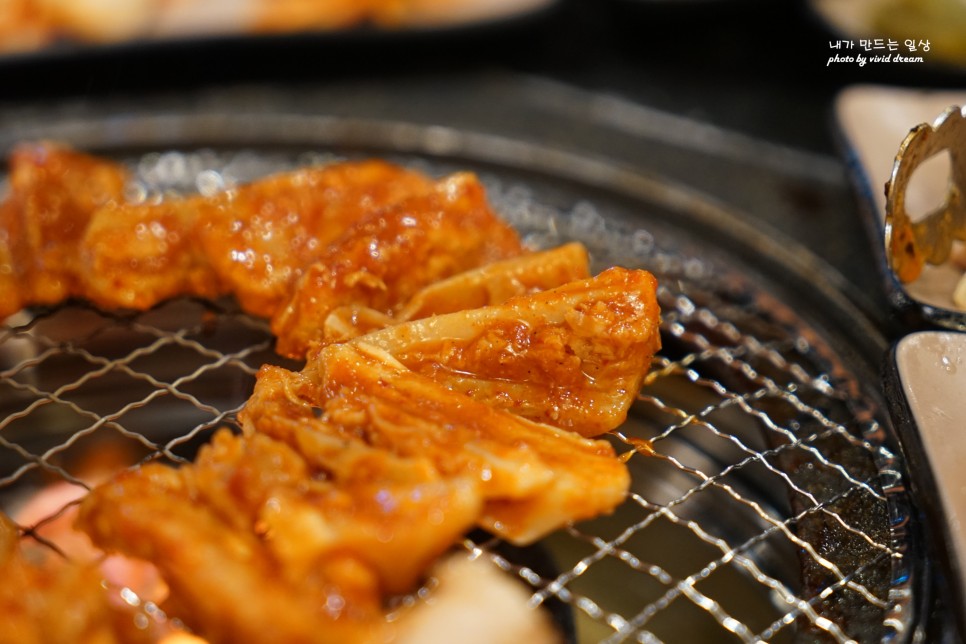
(319, 552)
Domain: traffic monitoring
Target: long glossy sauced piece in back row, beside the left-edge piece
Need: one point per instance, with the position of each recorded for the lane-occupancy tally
(254, 242)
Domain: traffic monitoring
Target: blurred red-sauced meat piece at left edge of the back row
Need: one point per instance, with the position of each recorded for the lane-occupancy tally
(53, 191)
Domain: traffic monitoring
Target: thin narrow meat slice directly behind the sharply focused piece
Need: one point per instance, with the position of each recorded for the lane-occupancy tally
(484, 286)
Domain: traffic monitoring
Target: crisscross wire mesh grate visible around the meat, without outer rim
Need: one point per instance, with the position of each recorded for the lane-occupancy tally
(757, 509)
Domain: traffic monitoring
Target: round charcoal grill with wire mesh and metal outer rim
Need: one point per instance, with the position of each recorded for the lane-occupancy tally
(767, 502)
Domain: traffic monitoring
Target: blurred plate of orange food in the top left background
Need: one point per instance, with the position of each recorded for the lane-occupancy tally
(57, 29)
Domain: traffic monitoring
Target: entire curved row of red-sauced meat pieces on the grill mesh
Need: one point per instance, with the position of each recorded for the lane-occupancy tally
(454, 379)
